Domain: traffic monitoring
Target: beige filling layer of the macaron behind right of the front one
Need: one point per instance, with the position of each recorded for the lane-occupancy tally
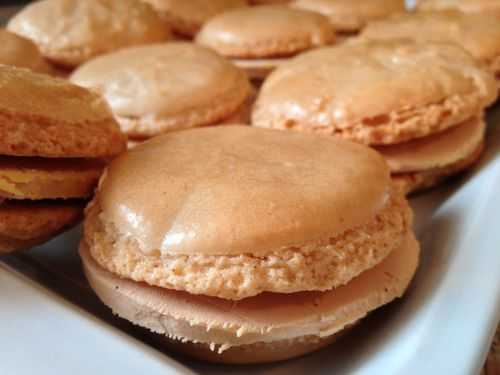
(437, 150)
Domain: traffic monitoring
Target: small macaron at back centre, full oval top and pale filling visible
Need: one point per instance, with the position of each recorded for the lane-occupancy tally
(260, 38)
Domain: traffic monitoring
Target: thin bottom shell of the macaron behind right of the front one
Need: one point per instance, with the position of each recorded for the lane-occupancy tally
(416, 182)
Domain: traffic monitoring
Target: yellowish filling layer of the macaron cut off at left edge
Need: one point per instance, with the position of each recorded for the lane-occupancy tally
(42, 178)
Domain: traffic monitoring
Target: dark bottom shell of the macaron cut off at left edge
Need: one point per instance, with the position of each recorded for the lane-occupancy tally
(24, 224)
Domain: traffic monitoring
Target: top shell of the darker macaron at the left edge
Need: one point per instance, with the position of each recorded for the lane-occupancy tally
(50, 117)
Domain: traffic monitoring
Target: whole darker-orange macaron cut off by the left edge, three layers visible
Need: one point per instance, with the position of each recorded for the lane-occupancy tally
(55, 140)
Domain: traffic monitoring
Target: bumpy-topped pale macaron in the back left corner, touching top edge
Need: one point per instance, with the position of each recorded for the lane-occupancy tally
(70, 32)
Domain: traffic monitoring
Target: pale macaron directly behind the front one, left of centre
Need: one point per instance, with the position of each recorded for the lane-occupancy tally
(166, 87)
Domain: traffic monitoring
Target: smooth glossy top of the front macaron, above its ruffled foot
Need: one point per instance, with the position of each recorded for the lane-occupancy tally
(235, 189)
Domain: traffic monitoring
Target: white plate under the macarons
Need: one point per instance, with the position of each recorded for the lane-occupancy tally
(444, 325)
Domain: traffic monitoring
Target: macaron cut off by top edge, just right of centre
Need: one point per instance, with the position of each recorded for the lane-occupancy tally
(348, 16)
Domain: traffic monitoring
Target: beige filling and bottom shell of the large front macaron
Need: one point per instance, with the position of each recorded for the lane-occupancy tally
(268, 318)
